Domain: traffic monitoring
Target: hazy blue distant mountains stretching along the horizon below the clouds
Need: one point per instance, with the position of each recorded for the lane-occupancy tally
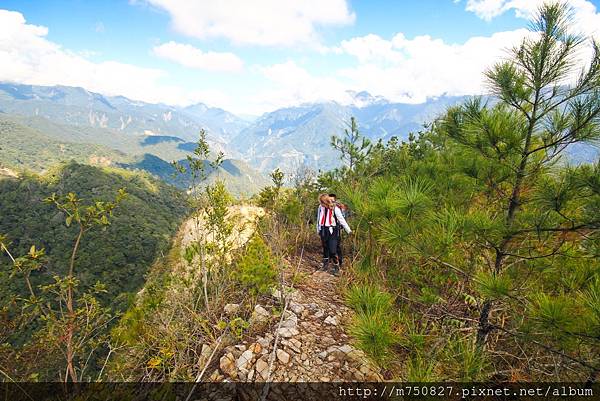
(148, 136)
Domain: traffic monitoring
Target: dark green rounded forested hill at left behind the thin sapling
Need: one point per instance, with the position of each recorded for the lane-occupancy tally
(118, 255)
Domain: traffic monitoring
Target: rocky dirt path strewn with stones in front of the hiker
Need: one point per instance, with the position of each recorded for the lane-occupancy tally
(312, 340)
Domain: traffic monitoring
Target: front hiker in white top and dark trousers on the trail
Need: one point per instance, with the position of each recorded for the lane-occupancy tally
(329, 220)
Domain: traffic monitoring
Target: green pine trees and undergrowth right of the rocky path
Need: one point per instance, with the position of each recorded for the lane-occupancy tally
(479, 227)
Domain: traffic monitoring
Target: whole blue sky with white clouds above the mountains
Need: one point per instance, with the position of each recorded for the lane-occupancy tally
(251, 57)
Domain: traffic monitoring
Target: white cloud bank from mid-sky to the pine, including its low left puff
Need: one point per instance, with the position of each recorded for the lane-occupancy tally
(399, 68)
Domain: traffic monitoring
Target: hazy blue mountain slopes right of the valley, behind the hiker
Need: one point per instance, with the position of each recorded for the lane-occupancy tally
(291, 137)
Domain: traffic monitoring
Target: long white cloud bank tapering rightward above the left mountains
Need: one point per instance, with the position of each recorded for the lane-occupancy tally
(26, 56)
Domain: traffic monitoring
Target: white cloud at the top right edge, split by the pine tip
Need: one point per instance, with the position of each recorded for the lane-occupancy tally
(585, 13)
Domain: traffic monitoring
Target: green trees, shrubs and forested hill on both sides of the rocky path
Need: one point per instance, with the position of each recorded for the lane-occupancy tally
(474, 256)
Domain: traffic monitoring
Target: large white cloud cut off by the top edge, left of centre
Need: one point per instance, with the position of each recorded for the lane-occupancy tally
(258, 22)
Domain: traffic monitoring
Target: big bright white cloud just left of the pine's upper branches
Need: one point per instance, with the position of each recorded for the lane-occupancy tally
(414, 69)
